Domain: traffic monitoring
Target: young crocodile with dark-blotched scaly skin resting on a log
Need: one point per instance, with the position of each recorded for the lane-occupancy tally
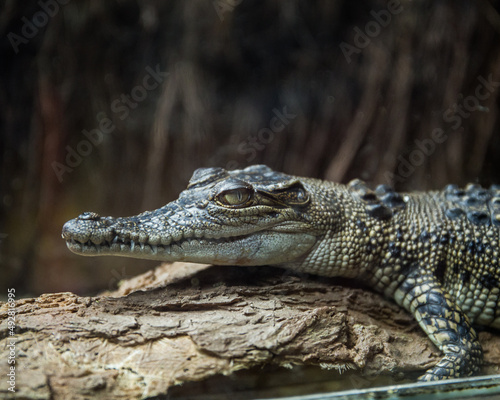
(435, 253)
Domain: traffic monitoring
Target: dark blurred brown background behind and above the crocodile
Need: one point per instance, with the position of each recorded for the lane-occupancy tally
(110, 107)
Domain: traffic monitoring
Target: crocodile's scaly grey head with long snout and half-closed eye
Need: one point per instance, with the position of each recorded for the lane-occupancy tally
(253, 216)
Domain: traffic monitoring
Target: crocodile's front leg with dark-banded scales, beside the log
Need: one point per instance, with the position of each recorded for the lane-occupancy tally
(445, 324)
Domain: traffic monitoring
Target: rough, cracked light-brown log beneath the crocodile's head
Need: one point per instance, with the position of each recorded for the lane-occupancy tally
(184, 323)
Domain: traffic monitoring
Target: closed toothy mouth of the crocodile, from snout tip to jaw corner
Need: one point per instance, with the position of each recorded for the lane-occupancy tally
(250, 244)
